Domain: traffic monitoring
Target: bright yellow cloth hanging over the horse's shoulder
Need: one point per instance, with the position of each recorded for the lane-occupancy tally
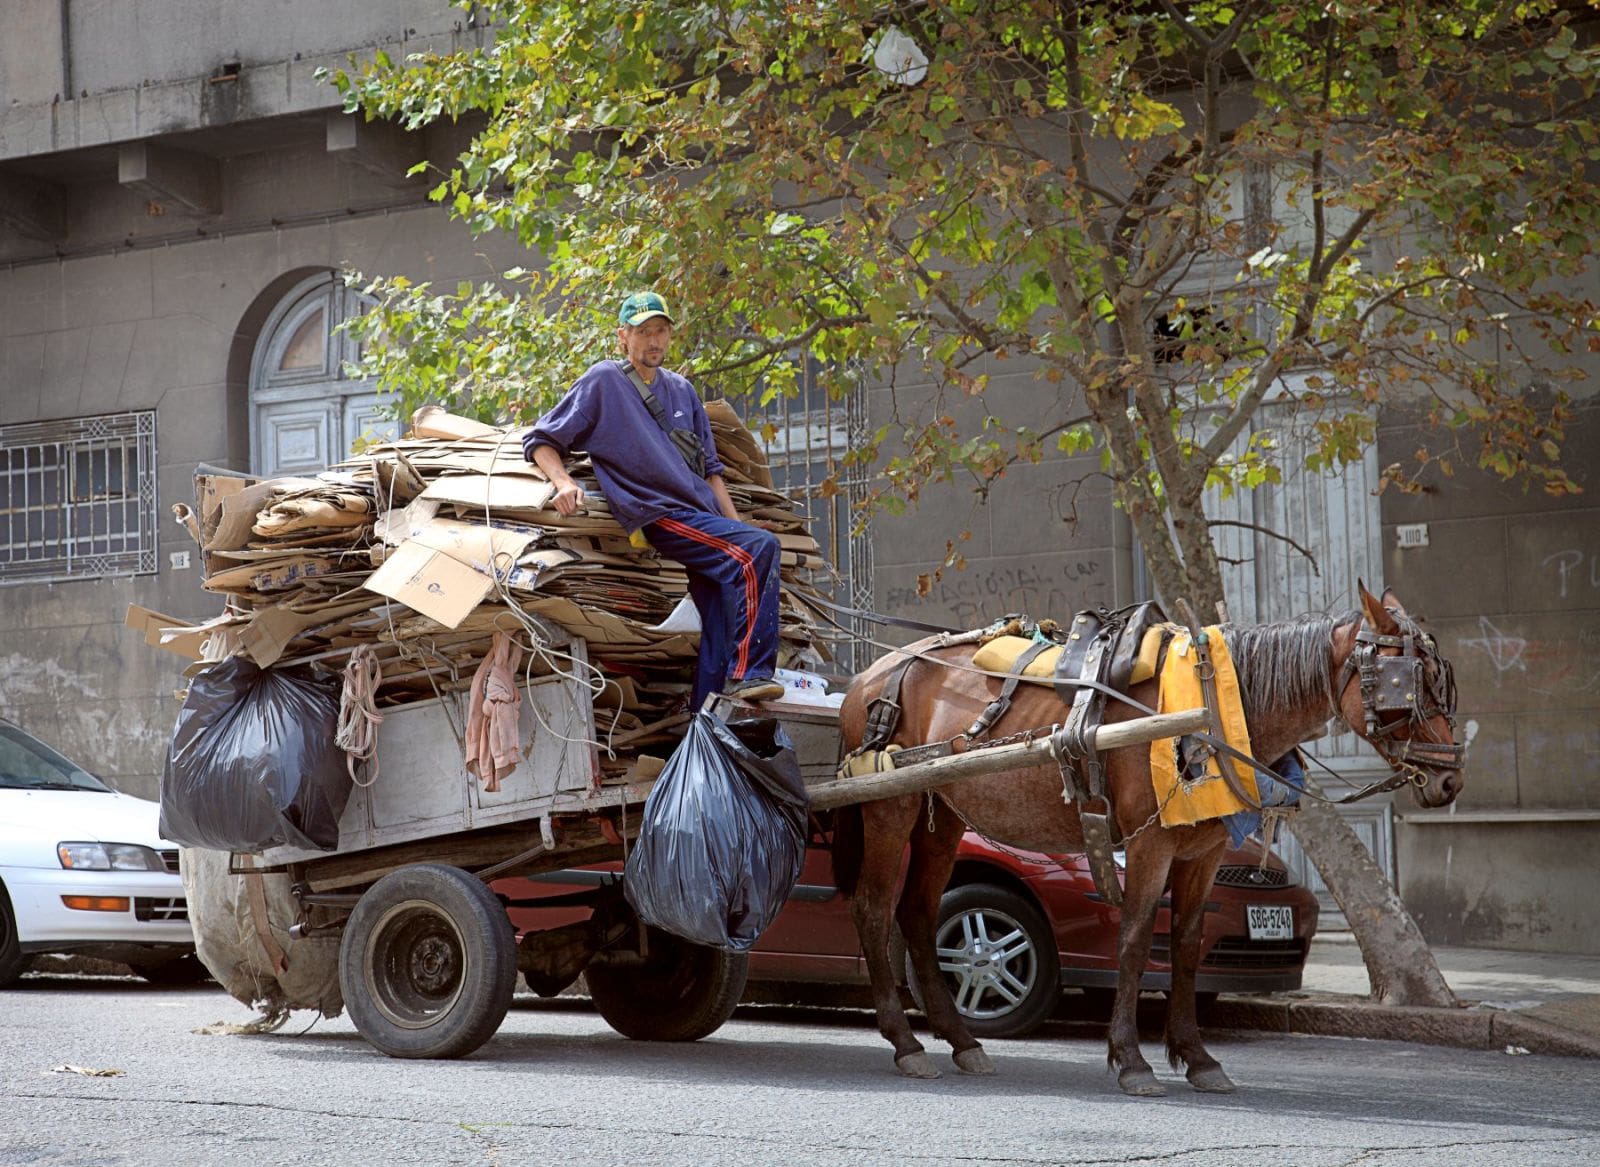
(1182, 801)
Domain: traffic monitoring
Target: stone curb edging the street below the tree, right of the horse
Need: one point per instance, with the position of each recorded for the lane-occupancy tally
(1462, 1029)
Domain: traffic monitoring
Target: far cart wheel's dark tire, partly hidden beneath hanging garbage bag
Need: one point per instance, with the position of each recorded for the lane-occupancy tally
(679, 995)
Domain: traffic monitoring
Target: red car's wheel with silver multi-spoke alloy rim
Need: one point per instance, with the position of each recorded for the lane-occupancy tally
(999, 960)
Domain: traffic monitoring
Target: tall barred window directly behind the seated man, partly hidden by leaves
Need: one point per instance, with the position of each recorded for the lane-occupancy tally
(810, 436)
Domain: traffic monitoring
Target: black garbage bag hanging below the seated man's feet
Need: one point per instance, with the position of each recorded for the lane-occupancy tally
(724, 835)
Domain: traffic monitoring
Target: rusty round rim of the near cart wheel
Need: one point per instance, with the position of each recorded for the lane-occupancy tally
(417, 964)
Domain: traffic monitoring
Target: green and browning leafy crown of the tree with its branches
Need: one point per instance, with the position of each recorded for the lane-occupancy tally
(1172, 214)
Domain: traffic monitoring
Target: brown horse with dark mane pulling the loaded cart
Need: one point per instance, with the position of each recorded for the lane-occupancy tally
(1294, 680)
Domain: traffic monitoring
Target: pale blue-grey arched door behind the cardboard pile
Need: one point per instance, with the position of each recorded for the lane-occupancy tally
(305, 411)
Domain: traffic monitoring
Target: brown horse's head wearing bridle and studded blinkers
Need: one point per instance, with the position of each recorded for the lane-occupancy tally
(1398, 692)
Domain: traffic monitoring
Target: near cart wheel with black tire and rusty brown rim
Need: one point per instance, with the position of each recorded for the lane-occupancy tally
(428, 963)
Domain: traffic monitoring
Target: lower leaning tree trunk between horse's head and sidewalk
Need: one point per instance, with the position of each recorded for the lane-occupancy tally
(1401, 966)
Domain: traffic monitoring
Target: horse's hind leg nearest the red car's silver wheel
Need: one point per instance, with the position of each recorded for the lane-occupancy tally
(932, 860)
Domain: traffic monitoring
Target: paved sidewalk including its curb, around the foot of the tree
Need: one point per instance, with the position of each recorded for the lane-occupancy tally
(1524, 1003)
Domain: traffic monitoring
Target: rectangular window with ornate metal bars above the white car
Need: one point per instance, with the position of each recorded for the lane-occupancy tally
(78, 499)
